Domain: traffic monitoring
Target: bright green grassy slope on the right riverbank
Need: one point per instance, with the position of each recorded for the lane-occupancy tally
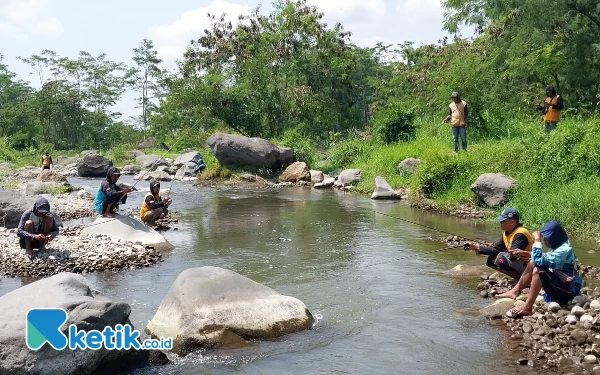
(557, 174)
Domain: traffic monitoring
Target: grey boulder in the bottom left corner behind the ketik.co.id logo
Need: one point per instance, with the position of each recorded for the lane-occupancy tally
(87, 308)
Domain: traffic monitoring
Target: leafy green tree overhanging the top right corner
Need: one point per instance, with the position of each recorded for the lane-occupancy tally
(540, 41)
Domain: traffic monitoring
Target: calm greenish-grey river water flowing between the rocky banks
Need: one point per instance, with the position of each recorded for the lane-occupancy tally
(374, 283)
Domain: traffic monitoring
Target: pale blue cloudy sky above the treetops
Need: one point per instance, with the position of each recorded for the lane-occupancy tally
(27, 27)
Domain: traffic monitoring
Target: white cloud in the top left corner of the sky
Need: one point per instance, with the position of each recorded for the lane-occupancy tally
(23, 19)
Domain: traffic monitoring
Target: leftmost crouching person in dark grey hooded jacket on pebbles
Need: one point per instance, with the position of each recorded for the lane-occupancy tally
(37, 227)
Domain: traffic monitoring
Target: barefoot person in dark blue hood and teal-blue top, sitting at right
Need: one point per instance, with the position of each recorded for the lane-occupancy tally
(555, 271)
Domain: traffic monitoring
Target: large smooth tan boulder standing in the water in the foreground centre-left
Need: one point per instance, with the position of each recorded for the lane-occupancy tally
(215, 307)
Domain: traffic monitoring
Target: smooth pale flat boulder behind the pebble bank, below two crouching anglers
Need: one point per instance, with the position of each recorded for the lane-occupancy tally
(126, 228)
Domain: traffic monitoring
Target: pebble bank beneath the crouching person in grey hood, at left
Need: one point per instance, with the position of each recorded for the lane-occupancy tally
(72, 251)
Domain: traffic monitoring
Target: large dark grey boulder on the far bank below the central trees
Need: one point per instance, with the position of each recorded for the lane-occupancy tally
(239, 151)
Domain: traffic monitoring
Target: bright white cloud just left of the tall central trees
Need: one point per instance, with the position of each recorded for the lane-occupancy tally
(170, 40)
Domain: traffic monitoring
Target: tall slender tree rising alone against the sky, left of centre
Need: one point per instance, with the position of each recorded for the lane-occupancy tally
(145, 78)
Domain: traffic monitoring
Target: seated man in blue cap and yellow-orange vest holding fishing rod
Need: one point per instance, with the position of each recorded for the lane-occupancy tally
(511, 253)
